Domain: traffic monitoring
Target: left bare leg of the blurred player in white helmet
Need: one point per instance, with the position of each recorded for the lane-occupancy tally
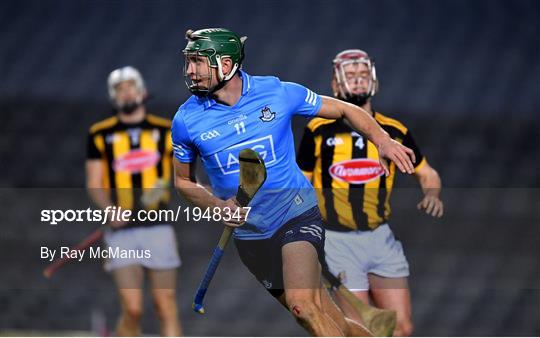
(129, 280)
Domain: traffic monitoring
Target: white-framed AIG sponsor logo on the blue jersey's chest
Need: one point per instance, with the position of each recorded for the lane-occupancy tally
(227, 159)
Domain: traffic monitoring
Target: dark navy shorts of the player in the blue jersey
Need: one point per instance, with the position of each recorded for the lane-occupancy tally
(263, 257)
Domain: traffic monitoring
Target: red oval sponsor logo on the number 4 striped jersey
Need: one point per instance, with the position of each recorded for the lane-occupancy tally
(356, 171)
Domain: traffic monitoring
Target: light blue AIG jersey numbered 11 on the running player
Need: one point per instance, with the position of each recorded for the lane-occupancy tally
(260, 120)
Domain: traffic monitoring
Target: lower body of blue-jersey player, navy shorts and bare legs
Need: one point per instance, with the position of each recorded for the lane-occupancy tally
(292, 252)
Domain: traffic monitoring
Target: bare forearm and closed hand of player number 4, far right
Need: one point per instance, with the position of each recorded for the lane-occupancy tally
(430, 182)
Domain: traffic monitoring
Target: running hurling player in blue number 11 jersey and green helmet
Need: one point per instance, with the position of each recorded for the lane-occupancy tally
(282, 240)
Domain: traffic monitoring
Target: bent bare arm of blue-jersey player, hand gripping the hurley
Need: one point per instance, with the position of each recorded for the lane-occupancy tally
(199, 195)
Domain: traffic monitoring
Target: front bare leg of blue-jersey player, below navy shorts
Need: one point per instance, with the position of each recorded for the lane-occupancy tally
(301, 278)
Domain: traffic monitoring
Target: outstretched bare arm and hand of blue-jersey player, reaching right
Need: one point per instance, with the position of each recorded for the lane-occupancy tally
(360, 120)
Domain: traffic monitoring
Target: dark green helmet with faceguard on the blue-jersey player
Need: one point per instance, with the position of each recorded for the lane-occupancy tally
(214, 44)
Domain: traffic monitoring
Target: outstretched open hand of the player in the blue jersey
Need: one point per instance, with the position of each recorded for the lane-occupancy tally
(394, 151)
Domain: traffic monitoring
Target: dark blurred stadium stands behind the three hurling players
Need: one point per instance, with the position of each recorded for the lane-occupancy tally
(463, 75)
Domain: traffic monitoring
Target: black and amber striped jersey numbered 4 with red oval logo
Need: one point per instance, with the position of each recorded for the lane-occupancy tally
(352, 190)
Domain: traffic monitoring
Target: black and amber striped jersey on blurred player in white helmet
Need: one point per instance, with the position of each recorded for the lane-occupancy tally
(136, 158)
